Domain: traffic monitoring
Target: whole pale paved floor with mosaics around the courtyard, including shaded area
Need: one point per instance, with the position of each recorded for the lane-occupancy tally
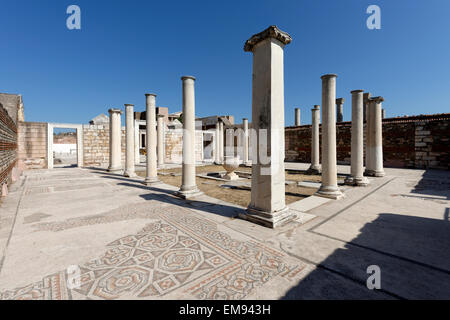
(128, 241)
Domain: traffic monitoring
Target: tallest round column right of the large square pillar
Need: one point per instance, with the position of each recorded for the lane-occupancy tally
(329, 188)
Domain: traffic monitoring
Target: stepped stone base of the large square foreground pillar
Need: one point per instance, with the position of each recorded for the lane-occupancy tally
(269, 219)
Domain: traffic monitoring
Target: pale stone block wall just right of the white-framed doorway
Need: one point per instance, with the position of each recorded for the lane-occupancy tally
(96, 145)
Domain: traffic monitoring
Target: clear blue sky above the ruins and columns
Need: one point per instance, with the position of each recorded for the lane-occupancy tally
(128, 48)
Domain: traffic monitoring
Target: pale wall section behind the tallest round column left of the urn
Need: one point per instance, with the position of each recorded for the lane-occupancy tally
(174, 146)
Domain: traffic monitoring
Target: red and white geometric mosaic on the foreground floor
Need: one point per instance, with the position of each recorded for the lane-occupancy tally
(177, 250)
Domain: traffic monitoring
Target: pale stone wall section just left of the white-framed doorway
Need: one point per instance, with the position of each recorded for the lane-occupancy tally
(32, 141)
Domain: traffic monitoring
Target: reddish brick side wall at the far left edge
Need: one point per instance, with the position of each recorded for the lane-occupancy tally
(8, 145)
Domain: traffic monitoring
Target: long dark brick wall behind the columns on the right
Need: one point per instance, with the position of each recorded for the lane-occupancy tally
(408, 142)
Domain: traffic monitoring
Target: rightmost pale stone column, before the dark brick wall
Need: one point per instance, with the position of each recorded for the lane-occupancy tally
(375, 143)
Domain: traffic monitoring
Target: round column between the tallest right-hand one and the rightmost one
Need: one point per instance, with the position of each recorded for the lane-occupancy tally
(356, 177)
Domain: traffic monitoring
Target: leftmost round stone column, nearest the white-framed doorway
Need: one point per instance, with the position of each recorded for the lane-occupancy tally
(115, 140)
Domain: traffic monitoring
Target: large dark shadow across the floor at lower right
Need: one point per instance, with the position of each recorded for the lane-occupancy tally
(413, 254)
